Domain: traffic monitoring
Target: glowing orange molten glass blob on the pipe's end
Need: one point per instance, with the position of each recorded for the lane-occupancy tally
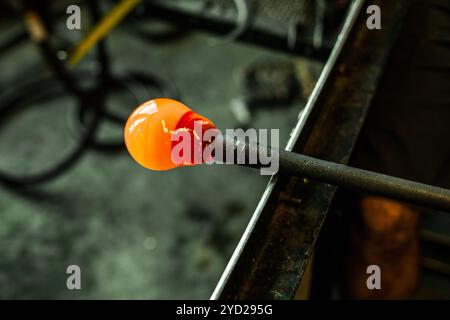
(155, 129)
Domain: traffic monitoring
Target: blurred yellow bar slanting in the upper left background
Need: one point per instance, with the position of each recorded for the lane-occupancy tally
(101, 30)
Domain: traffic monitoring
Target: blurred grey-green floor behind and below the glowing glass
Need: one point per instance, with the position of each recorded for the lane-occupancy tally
(134, 233)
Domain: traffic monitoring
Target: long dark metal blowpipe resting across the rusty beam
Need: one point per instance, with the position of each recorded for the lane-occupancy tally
(345, 176)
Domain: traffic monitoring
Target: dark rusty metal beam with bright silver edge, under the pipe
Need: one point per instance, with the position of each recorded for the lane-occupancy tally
(271, 257)
